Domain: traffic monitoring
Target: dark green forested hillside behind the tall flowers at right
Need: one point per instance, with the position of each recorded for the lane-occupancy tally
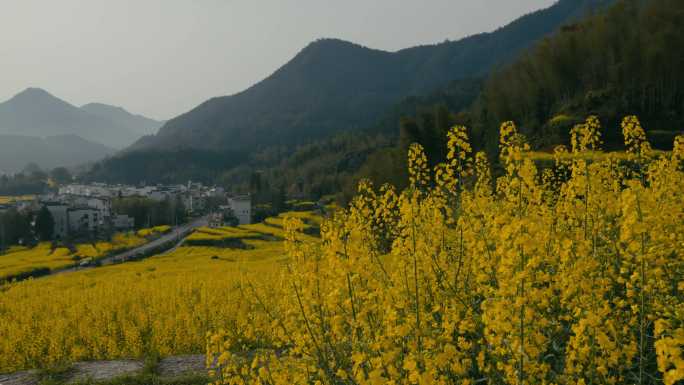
(627, 60)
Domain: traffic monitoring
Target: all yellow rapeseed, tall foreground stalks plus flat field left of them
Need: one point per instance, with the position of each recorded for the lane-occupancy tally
(572, 274)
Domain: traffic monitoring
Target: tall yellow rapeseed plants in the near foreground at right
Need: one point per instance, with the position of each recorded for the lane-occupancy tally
(570, 275)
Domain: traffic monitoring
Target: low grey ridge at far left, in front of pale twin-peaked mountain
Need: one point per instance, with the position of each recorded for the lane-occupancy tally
(16, 151)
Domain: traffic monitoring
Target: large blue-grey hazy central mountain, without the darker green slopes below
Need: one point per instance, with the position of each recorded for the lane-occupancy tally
(333, 85)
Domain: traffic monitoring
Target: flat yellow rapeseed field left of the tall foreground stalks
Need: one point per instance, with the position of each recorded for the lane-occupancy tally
(165, 304)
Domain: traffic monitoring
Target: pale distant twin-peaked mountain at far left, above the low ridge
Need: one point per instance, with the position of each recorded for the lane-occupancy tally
(35, 112)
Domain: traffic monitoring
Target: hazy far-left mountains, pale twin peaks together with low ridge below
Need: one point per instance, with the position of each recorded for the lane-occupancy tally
(36, 126)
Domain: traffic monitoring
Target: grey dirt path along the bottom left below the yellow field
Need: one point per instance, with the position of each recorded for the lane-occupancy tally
(168, 368)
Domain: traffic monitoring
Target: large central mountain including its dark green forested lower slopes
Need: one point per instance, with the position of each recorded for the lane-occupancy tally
(330, 88)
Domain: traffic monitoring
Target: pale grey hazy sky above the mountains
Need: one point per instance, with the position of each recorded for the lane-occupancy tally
(163, 57)
